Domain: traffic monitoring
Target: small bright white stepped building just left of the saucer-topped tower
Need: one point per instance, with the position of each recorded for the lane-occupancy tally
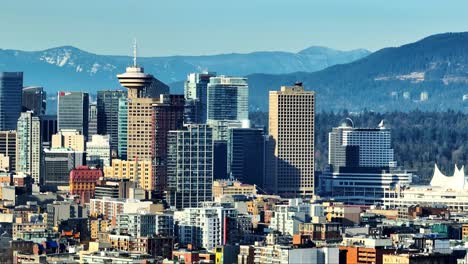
(98, 151)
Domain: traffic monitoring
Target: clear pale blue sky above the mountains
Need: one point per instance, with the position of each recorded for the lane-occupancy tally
(214, 26)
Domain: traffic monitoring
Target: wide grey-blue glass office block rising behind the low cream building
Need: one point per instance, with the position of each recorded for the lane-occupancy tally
(73, 111)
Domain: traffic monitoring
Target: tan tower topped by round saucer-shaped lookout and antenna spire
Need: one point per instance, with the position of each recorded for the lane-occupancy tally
(140, 112)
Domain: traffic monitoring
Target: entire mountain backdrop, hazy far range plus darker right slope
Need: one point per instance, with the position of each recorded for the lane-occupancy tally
(430, 74)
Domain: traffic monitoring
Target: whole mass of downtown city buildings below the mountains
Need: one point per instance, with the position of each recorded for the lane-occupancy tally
(139, 175)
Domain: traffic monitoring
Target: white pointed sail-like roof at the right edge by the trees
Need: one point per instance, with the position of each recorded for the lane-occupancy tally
(455, 182)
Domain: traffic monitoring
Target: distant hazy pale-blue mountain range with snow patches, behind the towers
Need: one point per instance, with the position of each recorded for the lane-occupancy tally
(69, 68)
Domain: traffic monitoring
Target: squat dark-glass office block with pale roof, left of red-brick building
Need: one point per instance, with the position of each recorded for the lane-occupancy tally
(57, 165)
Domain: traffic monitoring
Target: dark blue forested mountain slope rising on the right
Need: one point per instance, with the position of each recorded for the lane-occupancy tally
(430, 74)
